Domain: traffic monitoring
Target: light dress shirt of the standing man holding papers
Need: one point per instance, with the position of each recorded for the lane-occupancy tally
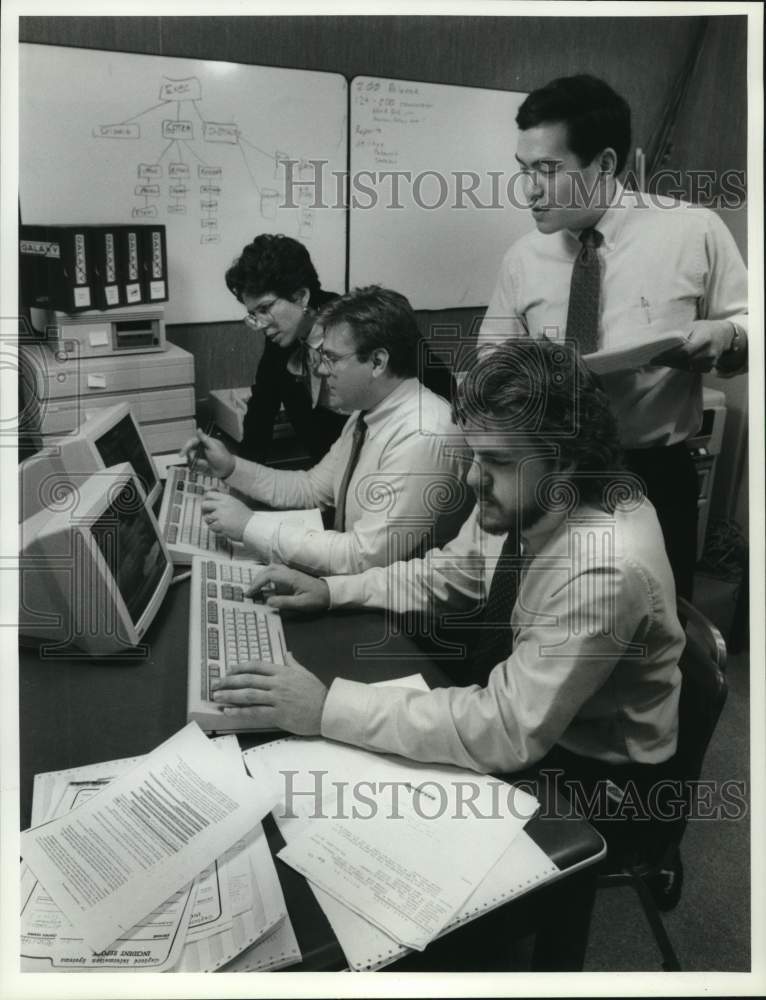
(664, 264)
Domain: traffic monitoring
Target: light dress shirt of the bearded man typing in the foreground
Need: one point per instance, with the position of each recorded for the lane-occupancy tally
(594, 665)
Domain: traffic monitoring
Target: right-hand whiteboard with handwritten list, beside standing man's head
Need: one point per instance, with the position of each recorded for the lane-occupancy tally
(437, 239)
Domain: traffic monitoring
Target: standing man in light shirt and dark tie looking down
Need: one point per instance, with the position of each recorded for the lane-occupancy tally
(605, 266)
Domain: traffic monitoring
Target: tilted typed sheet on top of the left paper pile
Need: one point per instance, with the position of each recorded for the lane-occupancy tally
(140, 840)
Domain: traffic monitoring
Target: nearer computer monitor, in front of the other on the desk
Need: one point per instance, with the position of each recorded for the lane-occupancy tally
(93, 573)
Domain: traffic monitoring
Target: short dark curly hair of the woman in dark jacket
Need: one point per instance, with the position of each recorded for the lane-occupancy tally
(277, 264)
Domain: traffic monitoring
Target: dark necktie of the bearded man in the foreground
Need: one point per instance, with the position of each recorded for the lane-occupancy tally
(496, 640)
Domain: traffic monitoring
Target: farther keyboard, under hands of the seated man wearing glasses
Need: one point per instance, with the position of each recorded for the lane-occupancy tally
(181, 520)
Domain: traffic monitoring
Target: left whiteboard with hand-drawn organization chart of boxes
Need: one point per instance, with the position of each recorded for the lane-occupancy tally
(110, 137)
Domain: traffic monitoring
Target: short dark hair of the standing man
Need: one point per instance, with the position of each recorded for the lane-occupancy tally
(594, 115)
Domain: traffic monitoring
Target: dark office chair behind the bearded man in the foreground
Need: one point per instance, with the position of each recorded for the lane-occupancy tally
(658, 877)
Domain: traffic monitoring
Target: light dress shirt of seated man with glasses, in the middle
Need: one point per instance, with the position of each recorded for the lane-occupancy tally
(411, 461)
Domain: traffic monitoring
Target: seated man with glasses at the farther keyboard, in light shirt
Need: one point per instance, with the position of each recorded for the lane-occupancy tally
(394, 476)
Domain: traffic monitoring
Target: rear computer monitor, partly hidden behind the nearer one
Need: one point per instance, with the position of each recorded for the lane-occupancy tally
(106, 438)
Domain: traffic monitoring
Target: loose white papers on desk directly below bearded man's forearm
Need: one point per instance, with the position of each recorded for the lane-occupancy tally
(398, 853)
